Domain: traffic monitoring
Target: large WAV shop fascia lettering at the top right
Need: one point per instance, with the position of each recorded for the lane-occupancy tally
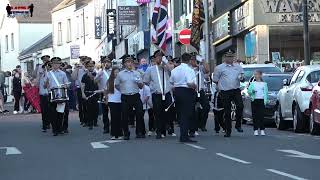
(290, 11)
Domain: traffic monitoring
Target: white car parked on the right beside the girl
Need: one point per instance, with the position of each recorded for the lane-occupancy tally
(293, 100)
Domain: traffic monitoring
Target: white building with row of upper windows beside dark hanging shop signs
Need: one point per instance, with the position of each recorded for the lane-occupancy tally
(74, 26)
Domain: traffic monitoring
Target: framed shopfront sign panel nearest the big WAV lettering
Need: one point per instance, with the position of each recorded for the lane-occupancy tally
(243, 17)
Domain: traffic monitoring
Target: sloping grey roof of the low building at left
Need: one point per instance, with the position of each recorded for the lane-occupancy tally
(43, 43)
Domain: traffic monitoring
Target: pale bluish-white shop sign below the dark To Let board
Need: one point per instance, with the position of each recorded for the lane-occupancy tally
(136, 43)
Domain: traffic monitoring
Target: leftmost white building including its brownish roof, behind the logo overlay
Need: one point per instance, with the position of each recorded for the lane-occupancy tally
(17, 34)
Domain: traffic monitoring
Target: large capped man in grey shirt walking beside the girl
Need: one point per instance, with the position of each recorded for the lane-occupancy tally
(228, 76)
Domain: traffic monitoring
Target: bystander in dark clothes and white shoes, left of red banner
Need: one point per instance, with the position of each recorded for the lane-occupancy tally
(16, 90)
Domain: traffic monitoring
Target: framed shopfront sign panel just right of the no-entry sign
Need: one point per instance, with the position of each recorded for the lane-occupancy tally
(221, 28)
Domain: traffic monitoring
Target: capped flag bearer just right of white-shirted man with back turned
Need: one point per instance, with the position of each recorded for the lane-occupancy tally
(201, 69)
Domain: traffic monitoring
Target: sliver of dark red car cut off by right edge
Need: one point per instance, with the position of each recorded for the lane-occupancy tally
(314, 123)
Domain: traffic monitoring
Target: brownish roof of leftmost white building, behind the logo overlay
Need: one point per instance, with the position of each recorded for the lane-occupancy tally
(41, 12)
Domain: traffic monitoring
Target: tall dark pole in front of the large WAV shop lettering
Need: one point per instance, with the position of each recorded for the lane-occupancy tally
(306, 33)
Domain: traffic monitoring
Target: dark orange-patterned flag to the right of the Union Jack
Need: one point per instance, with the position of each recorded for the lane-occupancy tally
(198, 18)
